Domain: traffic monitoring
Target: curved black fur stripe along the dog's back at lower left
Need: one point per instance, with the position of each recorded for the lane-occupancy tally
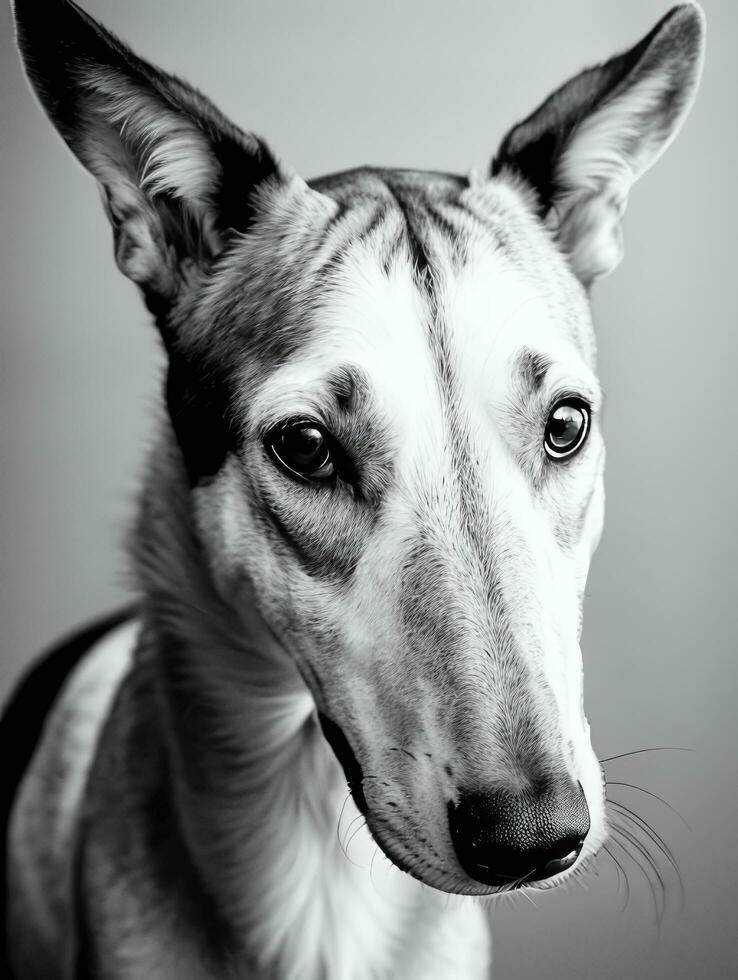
(22, 724)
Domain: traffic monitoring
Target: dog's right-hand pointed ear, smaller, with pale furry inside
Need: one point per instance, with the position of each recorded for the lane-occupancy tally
(584, 147)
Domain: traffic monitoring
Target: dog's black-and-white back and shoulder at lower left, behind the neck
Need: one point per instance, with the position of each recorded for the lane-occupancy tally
(49, 732)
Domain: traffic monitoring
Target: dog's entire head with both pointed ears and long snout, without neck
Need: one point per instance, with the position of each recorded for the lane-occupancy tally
(382, 384)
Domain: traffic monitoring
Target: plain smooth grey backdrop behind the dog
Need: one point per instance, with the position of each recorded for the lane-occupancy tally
(434, 85)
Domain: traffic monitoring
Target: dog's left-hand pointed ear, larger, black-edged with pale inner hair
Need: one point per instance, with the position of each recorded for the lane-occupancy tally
(176, 176)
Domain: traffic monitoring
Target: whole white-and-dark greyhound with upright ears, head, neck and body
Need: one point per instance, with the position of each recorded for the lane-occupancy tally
(362, 542)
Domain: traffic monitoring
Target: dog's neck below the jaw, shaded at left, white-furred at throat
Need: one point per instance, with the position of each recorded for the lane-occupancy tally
(262, 801)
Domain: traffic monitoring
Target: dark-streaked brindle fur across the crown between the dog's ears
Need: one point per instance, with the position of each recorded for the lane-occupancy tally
(269, 281)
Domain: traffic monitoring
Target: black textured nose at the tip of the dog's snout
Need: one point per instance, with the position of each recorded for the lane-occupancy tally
(505, 838)
